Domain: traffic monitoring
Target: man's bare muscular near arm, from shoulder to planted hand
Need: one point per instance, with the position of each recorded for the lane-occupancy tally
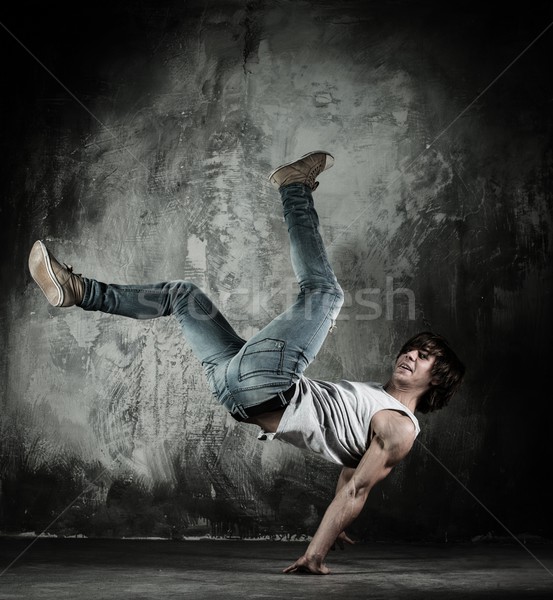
(393, 438)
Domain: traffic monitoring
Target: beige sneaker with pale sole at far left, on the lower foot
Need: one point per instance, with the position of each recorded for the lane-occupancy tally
(58, 282)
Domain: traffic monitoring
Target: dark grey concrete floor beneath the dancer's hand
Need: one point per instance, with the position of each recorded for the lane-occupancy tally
(81, 569)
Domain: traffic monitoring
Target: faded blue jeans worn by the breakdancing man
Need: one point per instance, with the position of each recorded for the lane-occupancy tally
(245, 374)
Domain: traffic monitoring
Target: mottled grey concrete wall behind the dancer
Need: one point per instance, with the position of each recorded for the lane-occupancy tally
(145, 159)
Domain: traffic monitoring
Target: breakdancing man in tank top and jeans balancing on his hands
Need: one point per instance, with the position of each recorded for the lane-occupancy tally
(365, 427)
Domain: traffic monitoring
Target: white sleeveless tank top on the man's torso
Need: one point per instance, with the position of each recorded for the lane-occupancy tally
(333, 419)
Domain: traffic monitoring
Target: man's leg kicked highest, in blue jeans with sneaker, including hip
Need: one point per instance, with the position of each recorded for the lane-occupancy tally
(276, 356)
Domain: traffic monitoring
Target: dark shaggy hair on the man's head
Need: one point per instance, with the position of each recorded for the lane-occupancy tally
(447, 371)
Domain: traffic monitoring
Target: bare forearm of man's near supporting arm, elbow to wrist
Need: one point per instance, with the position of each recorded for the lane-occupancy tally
(341, 513)
